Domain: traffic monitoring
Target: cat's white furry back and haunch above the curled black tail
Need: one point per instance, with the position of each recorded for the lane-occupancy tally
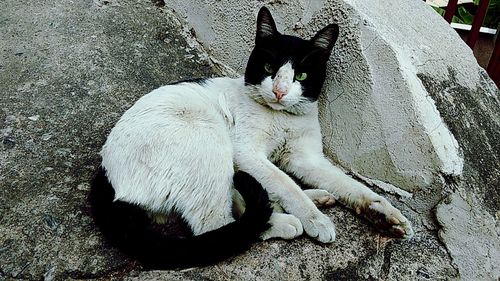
(172, 151)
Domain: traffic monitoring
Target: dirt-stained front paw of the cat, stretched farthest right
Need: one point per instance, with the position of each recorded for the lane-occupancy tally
(386, 218)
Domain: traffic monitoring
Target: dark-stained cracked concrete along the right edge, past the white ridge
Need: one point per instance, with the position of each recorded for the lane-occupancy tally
(468, 215)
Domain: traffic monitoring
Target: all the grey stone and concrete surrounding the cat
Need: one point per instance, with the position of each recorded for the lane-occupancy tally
(415, 120)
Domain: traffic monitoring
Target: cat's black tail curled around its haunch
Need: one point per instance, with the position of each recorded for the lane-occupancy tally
(129, 228)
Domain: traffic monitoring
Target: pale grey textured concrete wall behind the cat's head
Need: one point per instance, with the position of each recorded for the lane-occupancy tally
(377, 119)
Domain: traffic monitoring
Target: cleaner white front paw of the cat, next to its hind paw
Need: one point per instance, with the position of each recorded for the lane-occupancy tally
(320, 227)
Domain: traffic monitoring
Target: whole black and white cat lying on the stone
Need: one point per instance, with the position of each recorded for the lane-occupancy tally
(177, 148)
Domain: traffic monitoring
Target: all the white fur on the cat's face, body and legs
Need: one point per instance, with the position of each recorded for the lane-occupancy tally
(178, 146)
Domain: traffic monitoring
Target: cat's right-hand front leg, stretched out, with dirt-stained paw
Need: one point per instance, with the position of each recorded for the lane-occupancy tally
(313, 168)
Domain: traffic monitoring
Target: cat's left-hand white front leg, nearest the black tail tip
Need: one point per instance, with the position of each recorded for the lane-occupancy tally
(283, 189)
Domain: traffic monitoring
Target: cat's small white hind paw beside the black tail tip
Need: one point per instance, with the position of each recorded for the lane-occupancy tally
(283, 226)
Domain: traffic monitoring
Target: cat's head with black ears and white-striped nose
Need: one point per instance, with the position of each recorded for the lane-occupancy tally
(287, 72)
